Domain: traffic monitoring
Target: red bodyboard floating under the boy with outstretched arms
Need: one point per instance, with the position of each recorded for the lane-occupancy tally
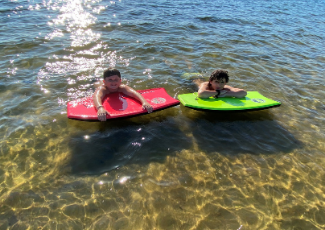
(120, 105)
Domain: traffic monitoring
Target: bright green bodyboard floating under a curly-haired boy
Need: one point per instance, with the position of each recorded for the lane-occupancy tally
(253, 101)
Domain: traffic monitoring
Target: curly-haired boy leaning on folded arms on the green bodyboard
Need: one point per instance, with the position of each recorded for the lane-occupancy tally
(216, 86)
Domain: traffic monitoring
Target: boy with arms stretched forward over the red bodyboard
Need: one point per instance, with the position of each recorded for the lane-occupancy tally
(112, 83)
